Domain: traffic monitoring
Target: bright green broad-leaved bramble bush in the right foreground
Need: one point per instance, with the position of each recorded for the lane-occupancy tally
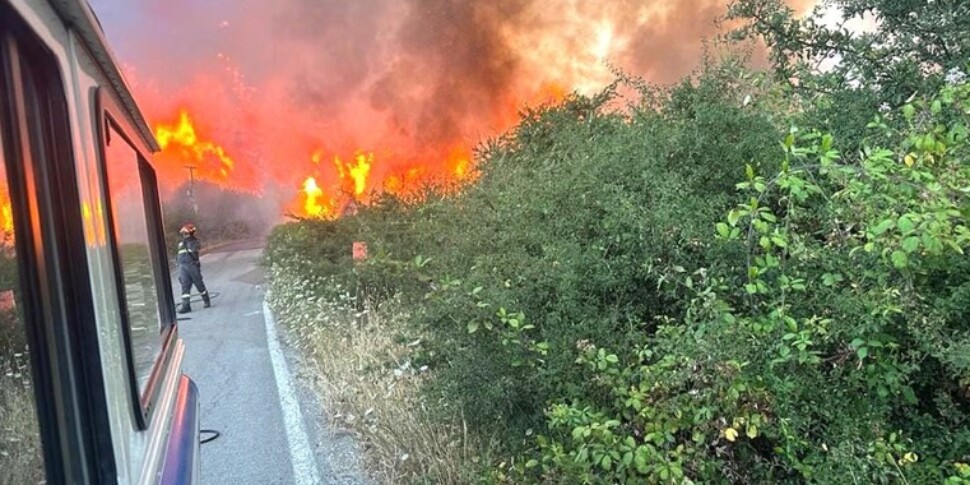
(843, 352)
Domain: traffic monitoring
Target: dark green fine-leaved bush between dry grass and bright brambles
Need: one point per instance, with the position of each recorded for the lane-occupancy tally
(575, 212)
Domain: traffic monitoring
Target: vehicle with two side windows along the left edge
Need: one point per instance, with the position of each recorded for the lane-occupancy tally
(91, 381)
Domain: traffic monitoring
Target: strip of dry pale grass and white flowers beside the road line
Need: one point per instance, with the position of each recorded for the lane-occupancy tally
(360, 364)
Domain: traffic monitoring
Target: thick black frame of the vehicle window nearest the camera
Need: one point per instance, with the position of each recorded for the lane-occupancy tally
(59, 316)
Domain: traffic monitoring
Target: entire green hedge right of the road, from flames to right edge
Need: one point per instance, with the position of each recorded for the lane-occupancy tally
(667, 293)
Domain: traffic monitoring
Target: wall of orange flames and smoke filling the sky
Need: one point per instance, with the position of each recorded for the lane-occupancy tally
(325, 101)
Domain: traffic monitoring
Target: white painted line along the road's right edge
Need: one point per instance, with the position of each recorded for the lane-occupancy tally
(301, 455)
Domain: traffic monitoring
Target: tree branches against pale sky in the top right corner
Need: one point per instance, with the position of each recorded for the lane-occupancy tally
(909, 48)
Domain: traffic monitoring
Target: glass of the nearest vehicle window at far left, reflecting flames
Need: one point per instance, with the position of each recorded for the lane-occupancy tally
(21, 456)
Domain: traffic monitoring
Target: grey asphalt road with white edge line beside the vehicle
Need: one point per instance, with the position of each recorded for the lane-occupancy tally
(272, 429)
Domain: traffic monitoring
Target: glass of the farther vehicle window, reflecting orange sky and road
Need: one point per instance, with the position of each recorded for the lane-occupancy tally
(128, 210)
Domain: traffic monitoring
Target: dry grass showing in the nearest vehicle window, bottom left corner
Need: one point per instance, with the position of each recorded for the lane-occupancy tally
(21, 457)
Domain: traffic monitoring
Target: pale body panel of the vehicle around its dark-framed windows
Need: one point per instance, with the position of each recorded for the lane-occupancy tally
(94, 86)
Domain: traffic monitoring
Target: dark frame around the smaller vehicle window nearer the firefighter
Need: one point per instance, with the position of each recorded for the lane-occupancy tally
(109, 115)
